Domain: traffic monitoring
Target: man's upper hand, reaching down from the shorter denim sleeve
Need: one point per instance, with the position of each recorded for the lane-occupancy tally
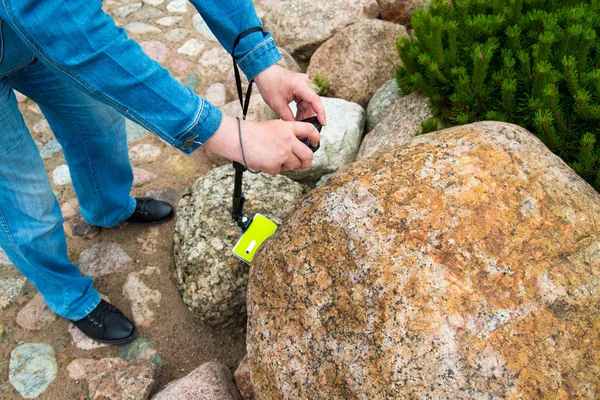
(279, 86)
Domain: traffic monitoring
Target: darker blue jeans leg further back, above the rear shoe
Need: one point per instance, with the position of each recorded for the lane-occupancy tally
(94, 142)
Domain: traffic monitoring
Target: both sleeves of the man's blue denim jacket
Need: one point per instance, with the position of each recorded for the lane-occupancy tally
(79, 41)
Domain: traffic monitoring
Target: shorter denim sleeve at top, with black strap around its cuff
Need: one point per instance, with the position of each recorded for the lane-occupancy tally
(227, 19)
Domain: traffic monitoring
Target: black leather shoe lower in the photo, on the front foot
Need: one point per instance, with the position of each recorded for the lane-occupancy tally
(107, 324)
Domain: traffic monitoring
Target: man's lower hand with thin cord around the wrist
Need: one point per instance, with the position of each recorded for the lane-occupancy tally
(270, 146)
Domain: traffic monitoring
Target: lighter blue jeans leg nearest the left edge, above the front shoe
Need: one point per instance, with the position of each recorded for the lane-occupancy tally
(31, 231)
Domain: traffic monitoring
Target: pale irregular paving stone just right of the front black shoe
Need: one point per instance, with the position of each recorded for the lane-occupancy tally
(141, 297)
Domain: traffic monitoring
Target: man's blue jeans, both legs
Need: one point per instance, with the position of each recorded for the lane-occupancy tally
(94, 142)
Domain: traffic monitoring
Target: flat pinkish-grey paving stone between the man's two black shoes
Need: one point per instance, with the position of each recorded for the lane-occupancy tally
(102, 259)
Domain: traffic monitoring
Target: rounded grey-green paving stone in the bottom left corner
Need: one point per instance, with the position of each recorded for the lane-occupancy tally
(32, 368)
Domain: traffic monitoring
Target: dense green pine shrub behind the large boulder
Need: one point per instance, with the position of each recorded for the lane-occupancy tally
(535, 63)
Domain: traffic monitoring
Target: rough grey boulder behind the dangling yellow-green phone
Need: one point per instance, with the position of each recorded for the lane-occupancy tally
(211, 279)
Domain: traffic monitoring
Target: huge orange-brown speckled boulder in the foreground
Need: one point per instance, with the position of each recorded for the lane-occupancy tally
(465, 264)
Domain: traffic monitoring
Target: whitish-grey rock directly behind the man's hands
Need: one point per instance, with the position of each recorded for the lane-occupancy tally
(340, 139)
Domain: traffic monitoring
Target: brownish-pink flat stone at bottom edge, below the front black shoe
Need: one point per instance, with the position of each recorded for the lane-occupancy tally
(114, 378)
